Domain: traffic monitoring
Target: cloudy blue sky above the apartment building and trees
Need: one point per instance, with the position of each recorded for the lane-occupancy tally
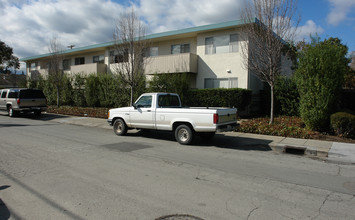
(28, 25)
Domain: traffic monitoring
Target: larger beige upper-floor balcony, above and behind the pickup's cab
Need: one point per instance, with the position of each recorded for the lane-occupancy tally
(174, 63)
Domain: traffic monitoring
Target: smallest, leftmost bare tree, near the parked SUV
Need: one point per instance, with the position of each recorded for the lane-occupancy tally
(55, 70)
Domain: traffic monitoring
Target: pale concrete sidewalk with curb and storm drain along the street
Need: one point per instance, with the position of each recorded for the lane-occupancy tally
(331, 151)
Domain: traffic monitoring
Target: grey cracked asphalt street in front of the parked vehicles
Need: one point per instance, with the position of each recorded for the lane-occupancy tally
(51, 170)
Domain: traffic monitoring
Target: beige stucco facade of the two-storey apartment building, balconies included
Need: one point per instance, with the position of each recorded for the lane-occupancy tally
(222, 65)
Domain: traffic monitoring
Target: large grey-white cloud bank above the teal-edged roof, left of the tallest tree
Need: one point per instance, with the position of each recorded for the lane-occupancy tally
(28, 26)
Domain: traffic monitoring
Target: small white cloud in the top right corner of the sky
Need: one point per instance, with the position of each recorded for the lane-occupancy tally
(339, 11)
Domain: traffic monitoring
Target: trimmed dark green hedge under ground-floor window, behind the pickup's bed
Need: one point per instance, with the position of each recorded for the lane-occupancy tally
(239, 98)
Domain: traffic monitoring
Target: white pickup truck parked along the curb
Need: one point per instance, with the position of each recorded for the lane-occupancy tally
(163, 111)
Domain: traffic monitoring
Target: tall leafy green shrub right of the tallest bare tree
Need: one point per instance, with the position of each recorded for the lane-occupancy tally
(319, 76)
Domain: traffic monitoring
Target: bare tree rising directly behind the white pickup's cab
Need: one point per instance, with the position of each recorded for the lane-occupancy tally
(129, 50)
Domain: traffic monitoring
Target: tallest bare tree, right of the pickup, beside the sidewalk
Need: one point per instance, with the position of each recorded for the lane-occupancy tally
(274, 26)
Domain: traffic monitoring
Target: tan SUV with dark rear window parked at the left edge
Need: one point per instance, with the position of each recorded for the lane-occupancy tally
(22, 100)
